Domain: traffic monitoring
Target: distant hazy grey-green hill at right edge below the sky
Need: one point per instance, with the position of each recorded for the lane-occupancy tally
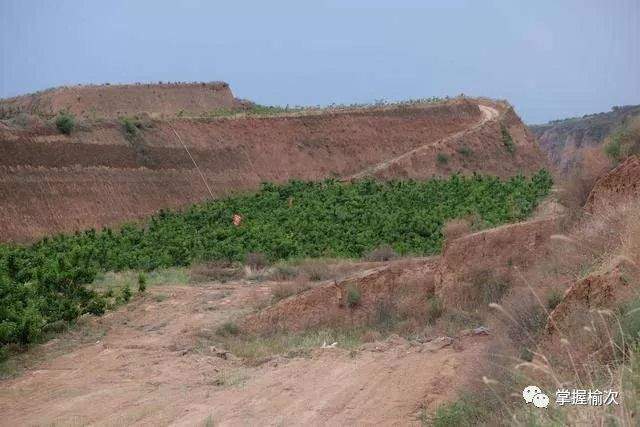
(564, 139)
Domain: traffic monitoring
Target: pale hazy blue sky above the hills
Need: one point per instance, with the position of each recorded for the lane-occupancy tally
(550, 58)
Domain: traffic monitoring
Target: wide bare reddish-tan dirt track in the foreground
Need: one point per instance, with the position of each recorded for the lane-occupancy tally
(148, 368)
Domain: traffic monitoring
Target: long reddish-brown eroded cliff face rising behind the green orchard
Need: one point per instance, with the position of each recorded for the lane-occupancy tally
(100, 175)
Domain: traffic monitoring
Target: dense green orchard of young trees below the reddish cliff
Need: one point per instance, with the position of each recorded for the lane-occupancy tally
(43, 283)
